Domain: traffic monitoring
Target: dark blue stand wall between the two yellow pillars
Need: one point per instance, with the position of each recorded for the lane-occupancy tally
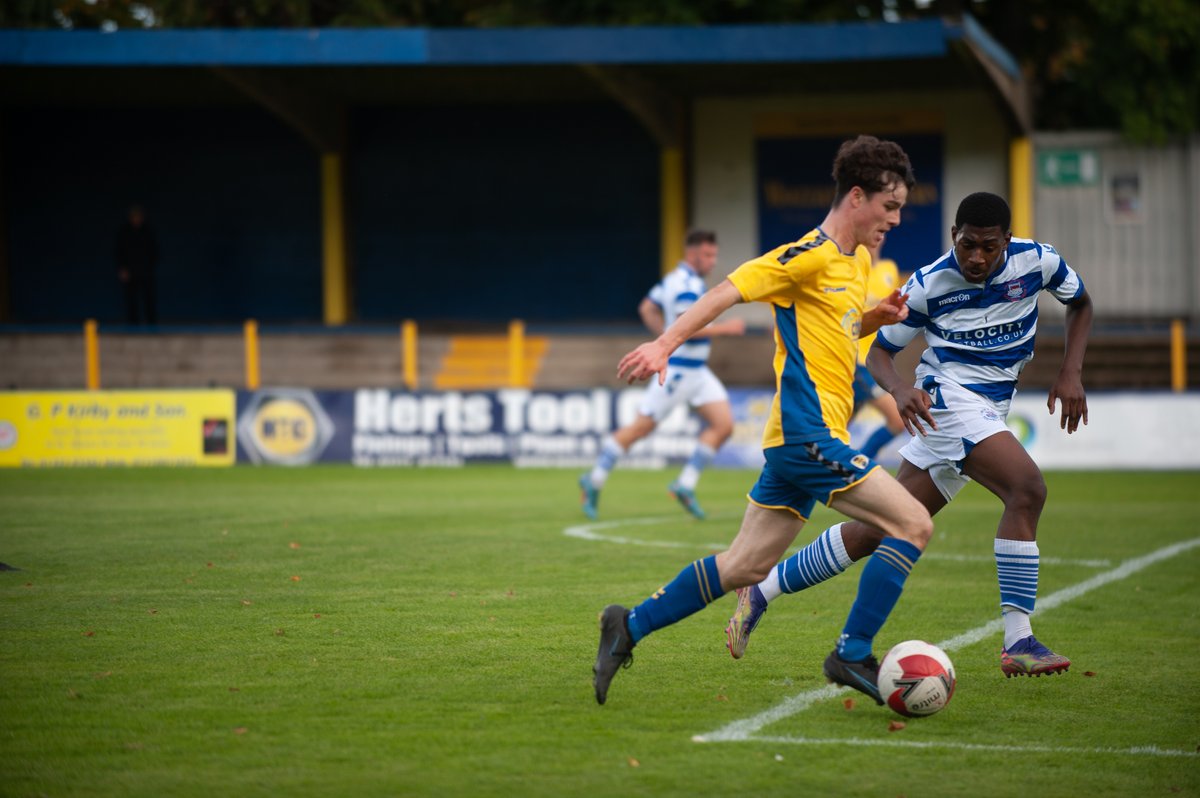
(495, 213)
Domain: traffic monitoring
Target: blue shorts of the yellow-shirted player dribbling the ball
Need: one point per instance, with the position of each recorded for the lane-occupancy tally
(799, 476)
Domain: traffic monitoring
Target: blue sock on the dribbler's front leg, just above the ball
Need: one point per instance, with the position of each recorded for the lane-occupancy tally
(879, 590)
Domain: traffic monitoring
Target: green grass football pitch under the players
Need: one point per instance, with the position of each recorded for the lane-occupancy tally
(332, 632)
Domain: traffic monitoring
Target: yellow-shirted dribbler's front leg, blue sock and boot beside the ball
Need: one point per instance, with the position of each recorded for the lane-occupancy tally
(883, 502)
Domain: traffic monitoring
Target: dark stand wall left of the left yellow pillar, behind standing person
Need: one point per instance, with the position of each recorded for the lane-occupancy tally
(233, 196)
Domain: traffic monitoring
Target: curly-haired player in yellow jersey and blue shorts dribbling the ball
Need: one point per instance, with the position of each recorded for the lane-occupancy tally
(817, 289)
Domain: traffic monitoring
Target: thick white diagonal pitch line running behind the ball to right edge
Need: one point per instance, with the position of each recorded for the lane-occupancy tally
(745, 730)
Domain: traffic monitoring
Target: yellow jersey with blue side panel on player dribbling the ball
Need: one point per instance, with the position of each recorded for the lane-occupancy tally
(818, 295)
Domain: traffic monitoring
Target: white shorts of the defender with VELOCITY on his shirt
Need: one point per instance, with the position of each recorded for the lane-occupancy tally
(964, 419)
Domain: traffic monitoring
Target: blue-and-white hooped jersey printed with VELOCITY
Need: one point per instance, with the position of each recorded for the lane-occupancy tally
(981, 337)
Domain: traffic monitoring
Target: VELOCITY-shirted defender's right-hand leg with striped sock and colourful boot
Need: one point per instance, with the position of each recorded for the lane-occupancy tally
(1001, 465)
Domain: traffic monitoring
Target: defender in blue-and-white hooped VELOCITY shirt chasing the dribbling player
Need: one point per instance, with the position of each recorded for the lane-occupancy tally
(977, 307)
